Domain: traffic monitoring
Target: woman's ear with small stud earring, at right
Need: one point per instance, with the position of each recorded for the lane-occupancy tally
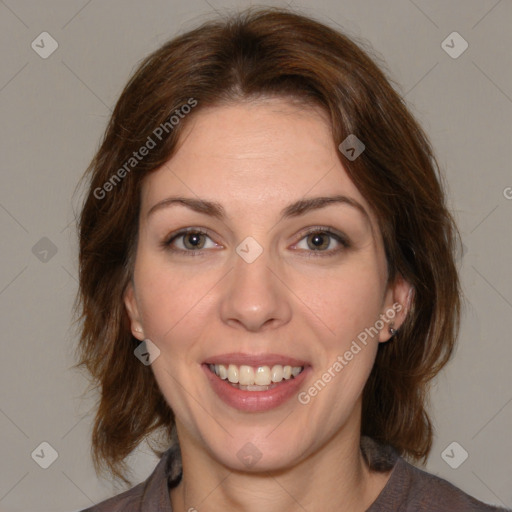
(397, 303)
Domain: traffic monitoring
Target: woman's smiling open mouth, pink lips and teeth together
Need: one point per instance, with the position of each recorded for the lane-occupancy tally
(255, 384)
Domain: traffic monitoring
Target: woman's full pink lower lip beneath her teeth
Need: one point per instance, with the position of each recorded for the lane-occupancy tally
(255, 401)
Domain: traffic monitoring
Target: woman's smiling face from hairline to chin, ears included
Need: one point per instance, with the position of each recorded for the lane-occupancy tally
(281, 269)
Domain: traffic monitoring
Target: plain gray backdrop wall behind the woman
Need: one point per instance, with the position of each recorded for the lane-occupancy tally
(53, 114)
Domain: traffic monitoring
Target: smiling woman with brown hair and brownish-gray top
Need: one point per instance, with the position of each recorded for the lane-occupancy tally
(267, 277)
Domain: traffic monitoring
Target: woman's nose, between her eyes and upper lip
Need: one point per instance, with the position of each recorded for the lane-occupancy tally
(254, 297)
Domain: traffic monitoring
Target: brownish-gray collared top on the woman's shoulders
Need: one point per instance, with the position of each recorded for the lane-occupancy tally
(408, 489)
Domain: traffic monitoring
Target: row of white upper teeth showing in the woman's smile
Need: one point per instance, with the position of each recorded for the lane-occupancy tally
(251, 379)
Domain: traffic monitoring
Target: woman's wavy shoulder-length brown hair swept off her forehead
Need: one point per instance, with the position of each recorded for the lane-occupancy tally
(254, 54)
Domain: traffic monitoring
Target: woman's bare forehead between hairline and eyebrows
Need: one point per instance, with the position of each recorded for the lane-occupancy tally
(254, 155)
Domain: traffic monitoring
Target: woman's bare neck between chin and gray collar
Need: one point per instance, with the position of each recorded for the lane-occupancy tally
(334, 478)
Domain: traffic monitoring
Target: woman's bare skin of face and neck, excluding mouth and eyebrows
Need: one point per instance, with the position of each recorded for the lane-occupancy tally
(255, 158)
